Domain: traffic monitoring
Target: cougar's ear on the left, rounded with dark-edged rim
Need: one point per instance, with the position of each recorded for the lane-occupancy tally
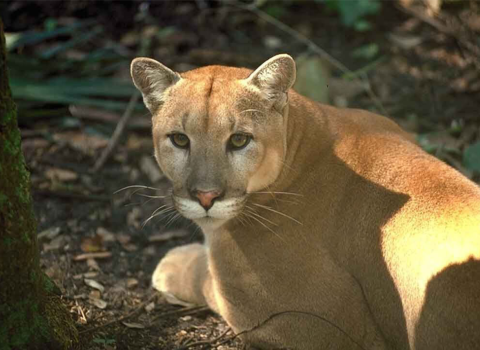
(152, 79)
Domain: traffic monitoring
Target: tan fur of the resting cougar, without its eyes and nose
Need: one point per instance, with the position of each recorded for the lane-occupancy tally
(335, 231)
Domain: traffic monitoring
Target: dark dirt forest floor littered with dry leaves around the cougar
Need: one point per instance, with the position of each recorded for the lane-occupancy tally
(95, 243)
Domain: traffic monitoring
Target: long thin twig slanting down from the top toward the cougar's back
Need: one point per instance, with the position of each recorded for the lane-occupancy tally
(362, 78)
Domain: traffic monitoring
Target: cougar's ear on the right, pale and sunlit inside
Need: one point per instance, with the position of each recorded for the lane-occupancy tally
(273, 78)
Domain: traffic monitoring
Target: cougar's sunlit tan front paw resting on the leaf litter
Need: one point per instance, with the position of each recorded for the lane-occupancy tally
(184, 278)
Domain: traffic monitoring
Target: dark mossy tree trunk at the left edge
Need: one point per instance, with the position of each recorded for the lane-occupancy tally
(31, 315)
